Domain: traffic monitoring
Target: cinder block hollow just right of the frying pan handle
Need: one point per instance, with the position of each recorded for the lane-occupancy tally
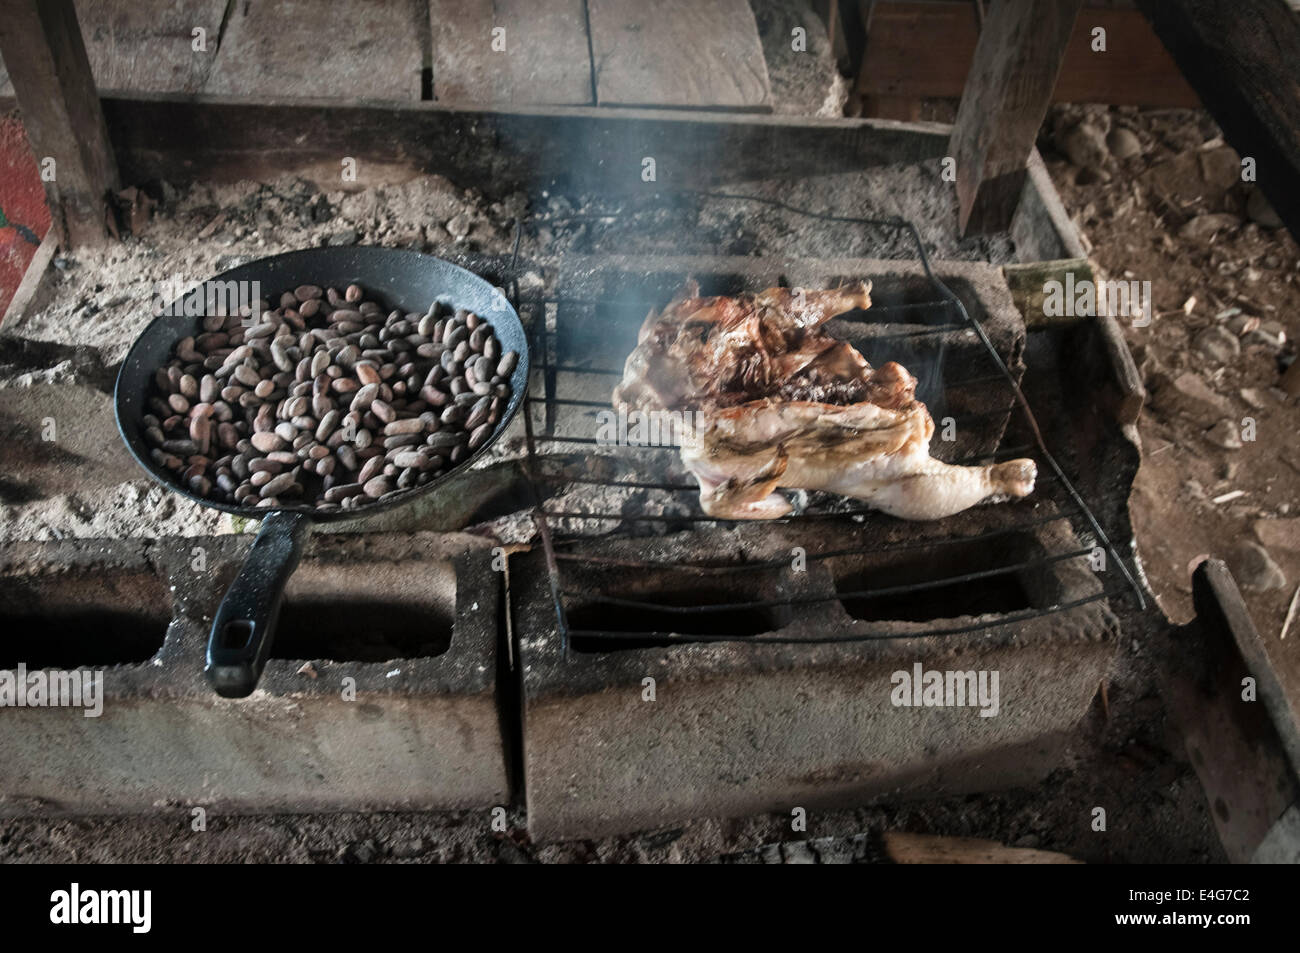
(387, 612)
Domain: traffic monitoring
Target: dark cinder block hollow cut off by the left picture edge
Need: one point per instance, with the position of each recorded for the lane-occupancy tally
(83, 618)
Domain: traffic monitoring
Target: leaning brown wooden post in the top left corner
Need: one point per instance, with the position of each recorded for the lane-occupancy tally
(46, 58)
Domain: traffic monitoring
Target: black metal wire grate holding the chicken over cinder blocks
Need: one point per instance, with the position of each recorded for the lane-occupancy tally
(943, 311)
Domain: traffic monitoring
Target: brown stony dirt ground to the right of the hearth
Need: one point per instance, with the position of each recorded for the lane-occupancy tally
(1221, 466)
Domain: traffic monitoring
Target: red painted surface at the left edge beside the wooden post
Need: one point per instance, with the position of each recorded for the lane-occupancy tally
(23, 203)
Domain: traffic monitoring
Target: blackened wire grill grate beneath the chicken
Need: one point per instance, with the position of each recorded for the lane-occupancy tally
(541, 479)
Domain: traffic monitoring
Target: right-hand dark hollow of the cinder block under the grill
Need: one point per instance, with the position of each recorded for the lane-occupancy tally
(916, 588)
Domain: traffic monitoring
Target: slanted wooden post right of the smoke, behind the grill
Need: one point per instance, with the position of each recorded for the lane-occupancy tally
(1006, 99)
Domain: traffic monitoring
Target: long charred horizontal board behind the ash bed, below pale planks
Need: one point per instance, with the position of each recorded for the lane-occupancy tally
(185, 140)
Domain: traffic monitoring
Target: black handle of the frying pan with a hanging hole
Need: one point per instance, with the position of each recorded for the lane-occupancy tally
(245, 625)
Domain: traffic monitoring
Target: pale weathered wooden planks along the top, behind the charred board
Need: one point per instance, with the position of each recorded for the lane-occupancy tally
(668, 54)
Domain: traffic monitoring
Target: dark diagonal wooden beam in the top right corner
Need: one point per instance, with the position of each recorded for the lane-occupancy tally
(1243, 59)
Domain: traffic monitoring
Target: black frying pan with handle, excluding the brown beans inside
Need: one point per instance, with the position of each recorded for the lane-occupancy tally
(245, 623)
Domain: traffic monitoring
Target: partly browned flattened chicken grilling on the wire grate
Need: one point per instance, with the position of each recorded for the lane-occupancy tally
(781, 404)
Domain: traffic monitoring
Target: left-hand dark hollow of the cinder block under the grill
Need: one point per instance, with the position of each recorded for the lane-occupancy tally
(749, 621)
